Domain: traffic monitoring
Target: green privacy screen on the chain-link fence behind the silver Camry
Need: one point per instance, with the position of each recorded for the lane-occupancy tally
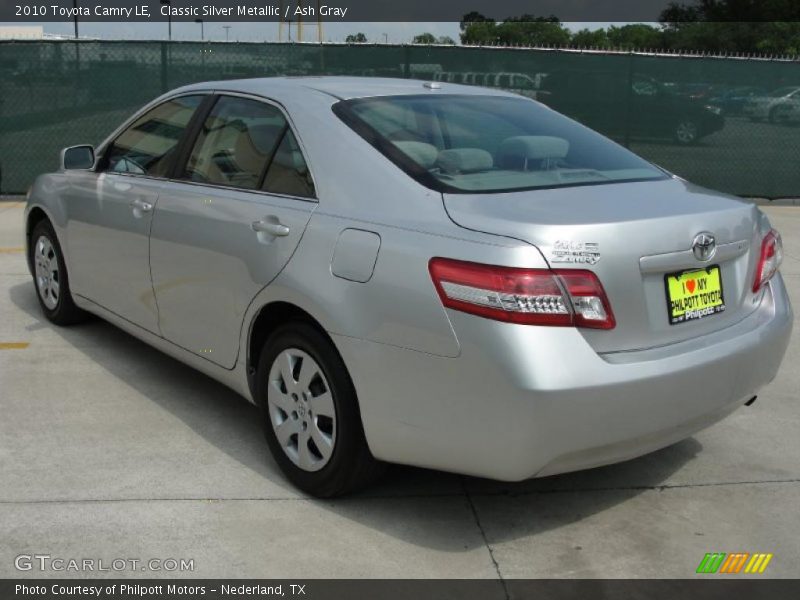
(726, 123)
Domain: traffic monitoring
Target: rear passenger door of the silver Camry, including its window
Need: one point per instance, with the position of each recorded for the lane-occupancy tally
(227, 225)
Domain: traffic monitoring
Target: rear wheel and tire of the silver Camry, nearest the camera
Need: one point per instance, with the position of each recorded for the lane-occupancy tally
(310, 413)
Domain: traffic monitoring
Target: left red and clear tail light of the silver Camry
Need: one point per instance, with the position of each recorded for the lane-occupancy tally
(560, 297)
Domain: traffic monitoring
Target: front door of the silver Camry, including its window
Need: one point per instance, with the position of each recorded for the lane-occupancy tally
(110, 212)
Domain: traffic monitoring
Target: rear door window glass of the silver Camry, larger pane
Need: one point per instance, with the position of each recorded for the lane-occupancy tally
(236, 143)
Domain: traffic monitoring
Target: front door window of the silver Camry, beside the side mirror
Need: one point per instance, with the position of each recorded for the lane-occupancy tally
(149, 145)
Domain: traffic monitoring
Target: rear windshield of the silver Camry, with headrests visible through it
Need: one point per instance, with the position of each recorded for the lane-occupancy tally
(466, 144)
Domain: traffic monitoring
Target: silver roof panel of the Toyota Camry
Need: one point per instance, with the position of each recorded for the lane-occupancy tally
(343, 88)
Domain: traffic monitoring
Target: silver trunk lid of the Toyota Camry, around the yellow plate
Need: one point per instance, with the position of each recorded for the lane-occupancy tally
(631, 235)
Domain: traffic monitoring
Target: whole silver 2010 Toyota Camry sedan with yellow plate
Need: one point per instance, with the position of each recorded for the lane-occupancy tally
(420, 273)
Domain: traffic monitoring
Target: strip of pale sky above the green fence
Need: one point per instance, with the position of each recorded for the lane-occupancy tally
(395, 33)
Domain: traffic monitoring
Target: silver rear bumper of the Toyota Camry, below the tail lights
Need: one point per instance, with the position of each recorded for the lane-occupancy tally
(525, 401)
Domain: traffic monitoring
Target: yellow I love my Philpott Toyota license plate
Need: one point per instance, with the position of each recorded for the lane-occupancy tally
(694, 294)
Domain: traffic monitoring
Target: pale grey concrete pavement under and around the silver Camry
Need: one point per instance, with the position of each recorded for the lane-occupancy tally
(109, 449)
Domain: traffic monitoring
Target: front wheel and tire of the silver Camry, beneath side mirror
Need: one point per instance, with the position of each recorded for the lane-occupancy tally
(50, 277)
